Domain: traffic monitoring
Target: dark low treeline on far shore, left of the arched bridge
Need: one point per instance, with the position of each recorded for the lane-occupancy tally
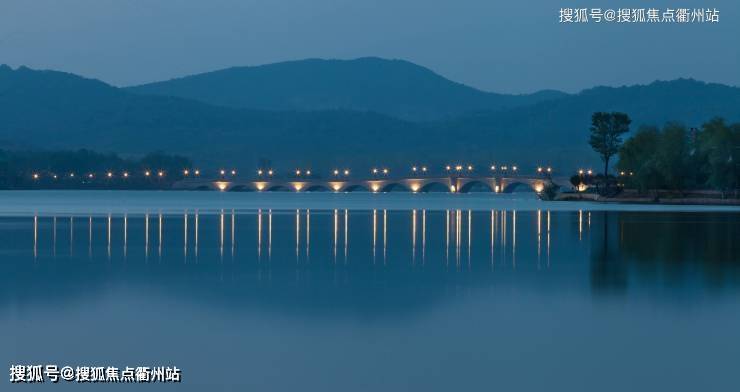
(88, 169)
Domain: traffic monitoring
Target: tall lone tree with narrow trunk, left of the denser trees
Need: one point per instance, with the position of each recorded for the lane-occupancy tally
(606, 134)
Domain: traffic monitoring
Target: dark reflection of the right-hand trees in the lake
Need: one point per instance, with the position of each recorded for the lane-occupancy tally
(673, 248)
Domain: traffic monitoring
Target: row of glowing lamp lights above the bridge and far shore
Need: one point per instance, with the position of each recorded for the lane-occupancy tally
(336, 173)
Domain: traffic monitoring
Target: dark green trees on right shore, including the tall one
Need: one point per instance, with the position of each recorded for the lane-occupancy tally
(673, 157)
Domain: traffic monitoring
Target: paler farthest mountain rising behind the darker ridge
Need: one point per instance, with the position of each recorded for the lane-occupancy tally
(393, 87)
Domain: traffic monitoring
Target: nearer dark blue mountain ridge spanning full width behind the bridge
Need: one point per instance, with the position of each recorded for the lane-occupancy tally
(47, 109)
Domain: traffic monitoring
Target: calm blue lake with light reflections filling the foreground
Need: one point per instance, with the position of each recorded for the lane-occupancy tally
(364, 292)
